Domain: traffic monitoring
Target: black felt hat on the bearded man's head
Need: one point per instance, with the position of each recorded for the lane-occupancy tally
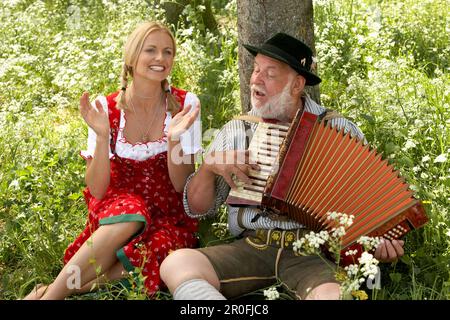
(289, 50)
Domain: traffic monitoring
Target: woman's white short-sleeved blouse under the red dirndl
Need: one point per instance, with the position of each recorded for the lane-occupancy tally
(190, 140)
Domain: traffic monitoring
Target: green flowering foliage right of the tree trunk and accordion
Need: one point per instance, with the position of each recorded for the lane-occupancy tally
(386, 66)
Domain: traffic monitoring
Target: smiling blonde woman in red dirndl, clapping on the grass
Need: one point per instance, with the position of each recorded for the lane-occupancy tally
(138, 159)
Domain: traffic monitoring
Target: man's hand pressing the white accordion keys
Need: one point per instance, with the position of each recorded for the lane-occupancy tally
(230, 163)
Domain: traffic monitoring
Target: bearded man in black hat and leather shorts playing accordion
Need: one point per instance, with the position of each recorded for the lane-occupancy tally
(282, 68)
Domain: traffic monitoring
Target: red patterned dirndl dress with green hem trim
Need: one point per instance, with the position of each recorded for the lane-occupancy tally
(140, 191)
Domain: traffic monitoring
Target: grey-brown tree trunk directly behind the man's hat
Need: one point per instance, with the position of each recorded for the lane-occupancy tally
(258, 20)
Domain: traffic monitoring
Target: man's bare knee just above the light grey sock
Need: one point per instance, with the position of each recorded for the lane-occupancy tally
(183, 265)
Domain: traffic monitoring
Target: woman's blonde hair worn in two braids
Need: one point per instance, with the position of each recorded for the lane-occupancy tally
(132, 49)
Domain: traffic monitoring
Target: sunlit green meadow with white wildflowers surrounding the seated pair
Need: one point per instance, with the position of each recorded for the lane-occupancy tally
(385, 65)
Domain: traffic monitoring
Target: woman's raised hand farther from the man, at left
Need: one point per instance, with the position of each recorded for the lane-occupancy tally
(97, 120)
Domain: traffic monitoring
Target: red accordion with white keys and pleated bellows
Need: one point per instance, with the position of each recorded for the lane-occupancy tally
(309, 169)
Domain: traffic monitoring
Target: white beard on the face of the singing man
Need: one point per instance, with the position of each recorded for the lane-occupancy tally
(278, 107)
